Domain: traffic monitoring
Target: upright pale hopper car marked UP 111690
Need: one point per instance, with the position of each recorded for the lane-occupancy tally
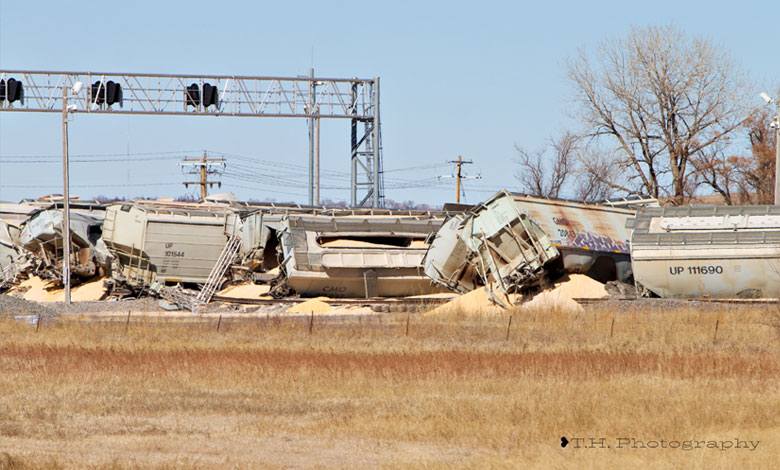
(726, 252)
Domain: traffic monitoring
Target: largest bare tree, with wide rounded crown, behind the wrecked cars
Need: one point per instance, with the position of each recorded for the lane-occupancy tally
(657, 97)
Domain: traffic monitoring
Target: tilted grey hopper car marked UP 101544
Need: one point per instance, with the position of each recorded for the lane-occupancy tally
(157, 243)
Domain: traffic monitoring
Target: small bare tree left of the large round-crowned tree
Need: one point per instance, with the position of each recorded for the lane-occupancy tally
(546, 179)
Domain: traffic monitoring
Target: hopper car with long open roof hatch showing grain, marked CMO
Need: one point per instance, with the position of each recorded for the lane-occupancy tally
(357, 256)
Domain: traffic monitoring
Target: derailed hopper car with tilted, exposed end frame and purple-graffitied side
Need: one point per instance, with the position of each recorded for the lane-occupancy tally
(587, 238)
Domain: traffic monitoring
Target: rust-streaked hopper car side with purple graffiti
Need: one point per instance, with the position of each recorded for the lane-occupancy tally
(591, 238)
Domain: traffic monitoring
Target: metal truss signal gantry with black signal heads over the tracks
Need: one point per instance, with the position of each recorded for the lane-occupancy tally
(163, 94)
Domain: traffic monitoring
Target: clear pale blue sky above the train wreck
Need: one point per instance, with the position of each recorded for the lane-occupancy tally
(457, 78)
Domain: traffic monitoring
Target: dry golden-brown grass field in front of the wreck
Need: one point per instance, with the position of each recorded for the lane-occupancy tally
(360, 393)
